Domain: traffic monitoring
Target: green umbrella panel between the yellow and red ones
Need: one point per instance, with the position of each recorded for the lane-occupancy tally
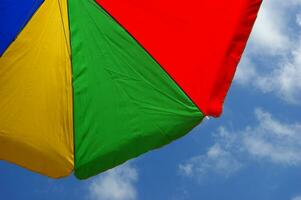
(124, 103)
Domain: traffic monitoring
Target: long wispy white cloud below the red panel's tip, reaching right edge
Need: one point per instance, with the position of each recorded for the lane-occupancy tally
(270, 140)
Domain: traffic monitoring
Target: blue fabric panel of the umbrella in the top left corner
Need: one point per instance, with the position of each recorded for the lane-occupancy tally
(14, 14)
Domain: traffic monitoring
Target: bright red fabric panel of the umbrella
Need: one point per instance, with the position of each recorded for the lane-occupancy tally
(198, 42)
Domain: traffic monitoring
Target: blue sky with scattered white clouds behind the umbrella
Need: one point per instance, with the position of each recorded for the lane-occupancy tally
(252, 152)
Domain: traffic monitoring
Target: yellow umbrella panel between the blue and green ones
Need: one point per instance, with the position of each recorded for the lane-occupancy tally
(36, 129)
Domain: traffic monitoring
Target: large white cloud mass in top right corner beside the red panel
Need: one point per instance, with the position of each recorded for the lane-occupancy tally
(272, 39)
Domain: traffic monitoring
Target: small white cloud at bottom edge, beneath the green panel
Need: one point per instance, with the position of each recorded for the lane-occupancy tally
(116, 184)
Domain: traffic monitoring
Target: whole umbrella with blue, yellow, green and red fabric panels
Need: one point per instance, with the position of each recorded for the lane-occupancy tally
(86, 85)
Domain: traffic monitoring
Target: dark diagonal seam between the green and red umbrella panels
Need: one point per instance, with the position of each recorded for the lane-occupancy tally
(149, 54)
